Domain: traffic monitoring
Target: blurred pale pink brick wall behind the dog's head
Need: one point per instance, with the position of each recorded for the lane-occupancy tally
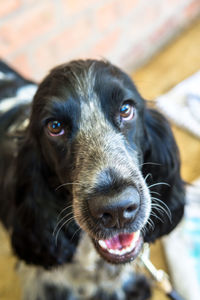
(35, 35)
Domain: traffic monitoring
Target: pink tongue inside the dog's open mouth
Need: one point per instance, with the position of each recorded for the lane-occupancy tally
(119, 241)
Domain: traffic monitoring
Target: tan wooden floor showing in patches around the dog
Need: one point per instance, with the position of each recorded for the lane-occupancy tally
(175, 63)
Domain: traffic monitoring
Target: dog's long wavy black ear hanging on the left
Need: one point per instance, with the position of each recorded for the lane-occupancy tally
(35, 213)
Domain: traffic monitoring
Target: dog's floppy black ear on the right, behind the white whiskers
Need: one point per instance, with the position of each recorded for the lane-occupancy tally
(162, 171)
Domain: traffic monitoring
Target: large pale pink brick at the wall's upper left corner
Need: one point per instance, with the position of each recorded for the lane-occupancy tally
(26, 27)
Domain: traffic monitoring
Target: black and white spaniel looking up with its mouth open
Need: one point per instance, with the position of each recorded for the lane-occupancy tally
(88, 174)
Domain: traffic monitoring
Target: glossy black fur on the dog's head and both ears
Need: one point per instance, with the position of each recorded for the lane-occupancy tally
(31, 168)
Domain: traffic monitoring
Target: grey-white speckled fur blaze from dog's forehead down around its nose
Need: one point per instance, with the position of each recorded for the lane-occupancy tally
(98, 139)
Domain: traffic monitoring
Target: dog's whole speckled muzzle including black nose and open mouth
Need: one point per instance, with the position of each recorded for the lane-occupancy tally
(111, 199)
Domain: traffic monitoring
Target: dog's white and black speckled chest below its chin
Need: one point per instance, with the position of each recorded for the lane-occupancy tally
(84, 277)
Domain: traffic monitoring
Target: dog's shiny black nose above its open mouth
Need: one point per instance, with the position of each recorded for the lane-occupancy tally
(116, 211)
